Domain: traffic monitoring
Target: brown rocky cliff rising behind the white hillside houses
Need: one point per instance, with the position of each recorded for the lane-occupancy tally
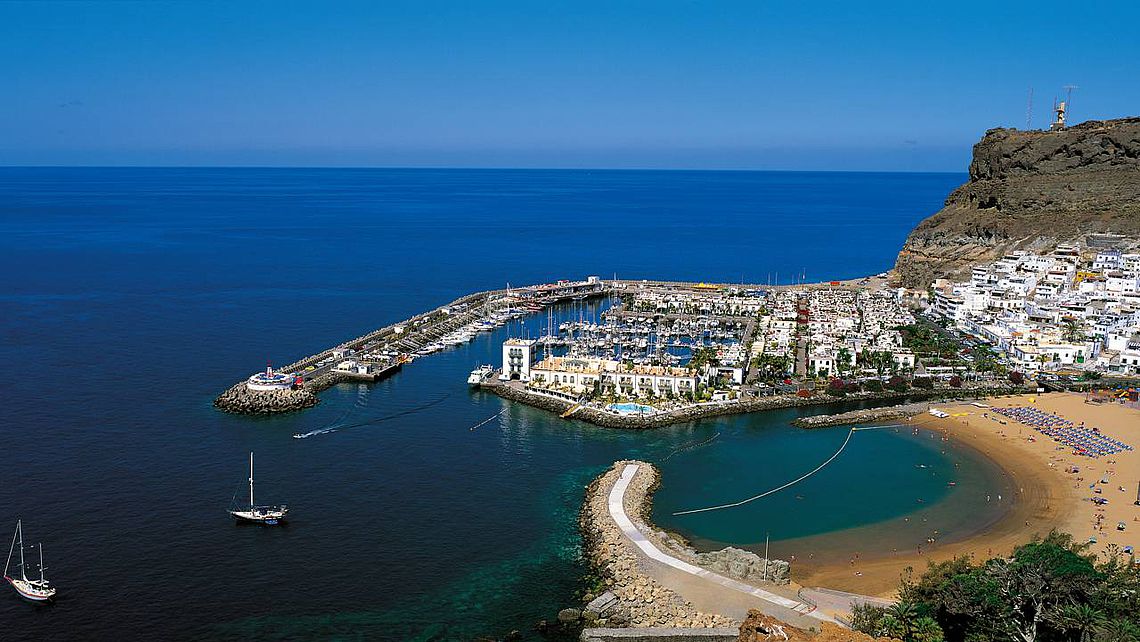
(1032, 190)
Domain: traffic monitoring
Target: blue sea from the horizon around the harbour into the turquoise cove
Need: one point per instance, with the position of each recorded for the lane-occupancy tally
(132, 297)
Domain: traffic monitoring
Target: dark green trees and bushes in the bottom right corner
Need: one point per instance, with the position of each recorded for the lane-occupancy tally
(1051, 590)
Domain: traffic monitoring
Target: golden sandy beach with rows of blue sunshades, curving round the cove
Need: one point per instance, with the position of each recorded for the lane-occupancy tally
(1047, 495)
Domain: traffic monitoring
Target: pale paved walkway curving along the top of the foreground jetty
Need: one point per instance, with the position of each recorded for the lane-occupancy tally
(706, 590)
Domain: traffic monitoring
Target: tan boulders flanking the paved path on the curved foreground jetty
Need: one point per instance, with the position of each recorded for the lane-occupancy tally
(626, 597)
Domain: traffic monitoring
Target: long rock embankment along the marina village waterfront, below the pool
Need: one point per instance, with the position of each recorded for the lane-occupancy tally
(604, 419)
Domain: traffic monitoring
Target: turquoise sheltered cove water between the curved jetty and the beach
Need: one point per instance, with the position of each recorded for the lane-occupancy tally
(882, 477)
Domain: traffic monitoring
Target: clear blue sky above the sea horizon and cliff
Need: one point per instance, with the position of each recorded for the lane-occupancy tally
(751, 85)
